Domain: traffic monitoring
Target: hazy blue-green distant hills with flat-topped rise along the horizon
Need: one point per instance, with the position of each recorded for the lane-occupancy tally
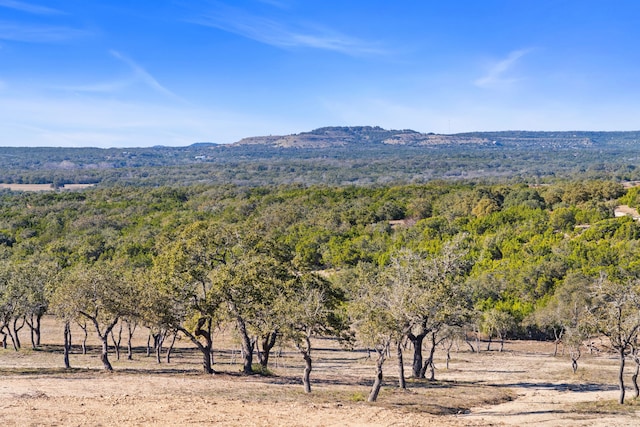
(359, 155)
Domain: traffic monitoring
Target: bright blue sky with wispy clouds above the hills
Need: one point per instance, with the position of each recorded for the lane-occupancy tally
(139, 73)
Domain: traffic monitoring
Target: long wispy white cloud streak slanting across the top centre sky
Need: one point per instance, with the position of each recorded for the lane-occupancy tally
(274, 33)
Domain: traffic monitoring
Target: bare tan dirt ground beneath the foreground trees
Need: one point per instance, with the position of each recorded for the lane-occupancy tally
(522, 385)
